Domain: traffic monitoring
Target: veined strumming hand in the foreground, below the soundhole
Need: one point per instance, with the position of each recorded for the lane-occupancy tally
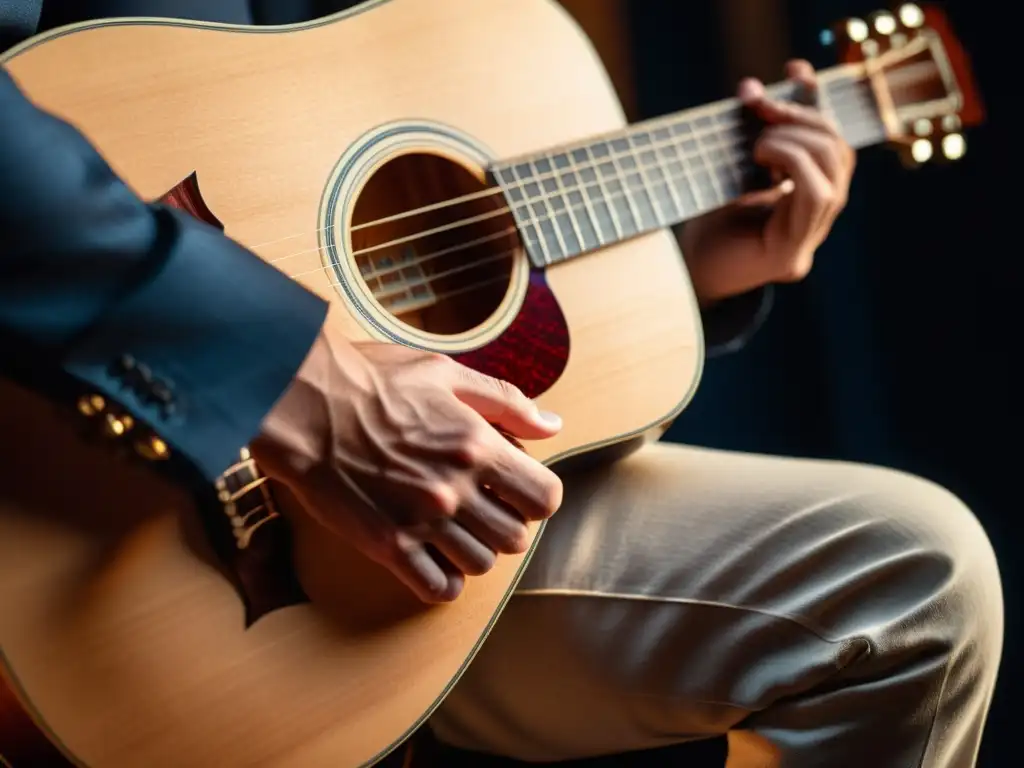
(395, 450)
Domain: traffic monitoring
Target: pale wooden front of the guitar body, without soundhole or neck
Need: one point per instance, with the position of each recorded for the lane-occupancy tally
(118, 630)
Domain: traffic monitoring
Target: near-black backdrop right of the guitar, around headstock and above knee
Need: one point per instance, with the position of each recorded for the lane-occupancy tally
(898, 350)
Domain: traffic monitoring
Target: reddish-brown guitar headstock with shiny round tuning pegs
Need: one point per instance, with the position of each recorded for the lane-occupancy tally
(920, 76)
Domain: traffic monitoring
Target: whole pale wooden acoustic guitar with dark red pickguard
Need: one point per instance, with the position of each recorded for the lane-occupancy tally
(454, 176)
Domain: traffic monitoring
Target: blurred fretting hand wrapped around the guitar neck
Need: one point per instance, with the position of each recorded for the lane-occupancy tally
(773, 237)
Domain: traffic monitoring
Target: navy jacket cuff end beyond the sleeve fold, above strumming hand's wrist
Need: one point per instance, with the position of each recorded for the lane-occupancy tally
(202, 351)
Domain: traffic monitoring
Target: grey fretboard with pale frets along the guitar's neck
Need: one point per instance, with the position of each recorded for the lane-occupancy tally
(659, 174)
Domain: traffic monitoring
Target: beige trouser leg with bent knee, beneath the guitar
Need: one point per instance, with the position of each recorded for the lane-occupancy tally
(823, 614)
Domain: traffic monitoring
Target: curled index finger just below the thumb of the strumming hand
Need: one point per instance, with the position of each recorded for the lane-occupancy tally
(530, 488)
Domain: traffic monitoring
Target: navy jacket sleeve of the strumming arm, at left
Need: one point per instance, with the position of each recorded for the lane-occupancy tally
(138, 305)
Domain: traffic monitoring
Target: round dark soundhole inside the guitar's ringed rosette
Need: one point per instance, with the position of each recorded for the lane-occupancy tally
(434, 244)
